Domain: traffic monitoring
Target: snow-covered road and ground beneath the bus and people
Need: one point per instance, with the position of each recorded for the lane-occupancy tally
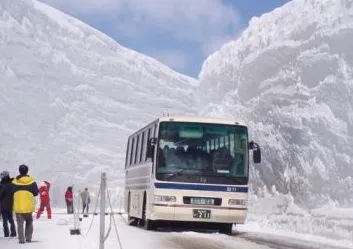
(55, 234)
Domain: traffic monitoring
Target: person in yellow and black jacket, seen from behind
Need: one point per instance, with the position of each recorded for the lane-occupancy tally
(25, 189)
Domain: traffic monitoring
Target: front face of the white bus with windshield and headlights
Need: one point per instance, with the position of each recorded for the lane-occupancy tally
(201, 171)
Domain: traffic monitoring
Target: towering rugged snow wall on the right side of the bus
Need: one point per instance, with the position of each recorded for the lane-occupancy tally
(290, 76)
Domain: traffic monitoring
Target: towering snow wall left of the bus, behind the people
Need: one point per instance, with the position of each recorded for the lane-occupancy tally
(69, 95)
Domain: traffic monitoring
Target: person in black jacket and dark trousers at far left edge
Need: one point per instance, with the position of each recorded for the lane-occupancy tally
(6, 200)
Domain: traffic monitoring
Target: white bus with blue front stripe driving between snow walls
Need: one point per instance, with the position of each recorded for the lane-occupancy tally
(188, 170)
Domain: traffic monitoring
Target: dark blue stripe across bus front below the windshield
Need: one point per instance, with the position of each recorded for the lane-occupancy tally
(201, 187)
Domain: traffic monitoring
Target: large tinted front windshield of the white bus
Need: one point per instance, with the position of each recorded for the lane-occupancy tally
(202, 153)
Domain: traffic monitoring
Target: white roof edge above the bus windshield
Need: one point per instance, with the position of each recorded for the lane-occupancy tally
(197, 119)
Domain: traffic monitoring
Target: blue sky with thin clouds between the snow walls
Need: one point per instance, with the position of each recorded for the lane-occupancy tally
(179, 33)
